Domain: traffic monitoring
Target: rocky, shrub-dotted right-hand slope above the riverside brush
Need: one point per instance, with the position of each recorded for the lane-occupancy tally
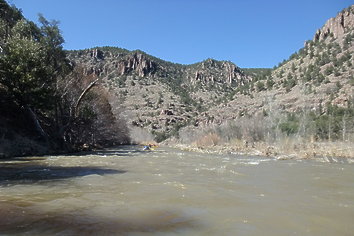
(320, 73)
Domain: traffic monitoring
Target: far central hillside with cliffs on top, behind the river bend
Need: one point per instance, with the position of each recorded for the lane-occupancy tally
(160, 96)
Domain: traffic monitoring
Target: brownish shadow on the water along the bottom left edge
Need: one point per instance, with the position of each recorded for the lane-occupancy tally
(15, 220)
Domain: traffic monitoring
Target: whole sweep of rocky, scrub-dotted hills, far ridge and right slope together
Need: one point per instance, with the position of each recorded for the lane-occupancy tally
(162, 97)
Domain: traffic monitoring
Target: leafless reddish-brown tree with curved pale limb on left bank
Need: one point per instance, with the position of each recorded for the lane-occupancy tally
(84, 114)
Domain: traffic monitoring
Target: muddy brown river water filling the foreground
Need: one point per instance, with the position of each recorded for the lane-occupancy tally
(125, 191)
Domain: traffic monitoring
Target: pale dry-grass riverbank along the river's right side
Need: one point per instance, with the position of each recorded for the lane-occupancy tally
(286, 149)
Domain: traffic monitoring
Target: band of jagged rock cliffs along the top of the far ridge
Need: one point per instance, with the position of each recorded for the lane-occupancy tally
(104, 61)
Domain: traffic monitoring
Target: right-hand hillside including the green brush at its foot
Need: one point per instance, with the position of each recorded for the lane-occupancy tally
(315, 83)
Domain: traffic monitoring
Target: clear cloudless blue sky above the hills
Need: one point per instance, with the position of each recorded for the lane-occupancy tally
(250, 33)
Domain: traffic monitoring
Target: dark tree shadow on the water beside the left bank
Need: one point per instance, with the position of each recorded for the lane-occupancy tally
(29, 173)
